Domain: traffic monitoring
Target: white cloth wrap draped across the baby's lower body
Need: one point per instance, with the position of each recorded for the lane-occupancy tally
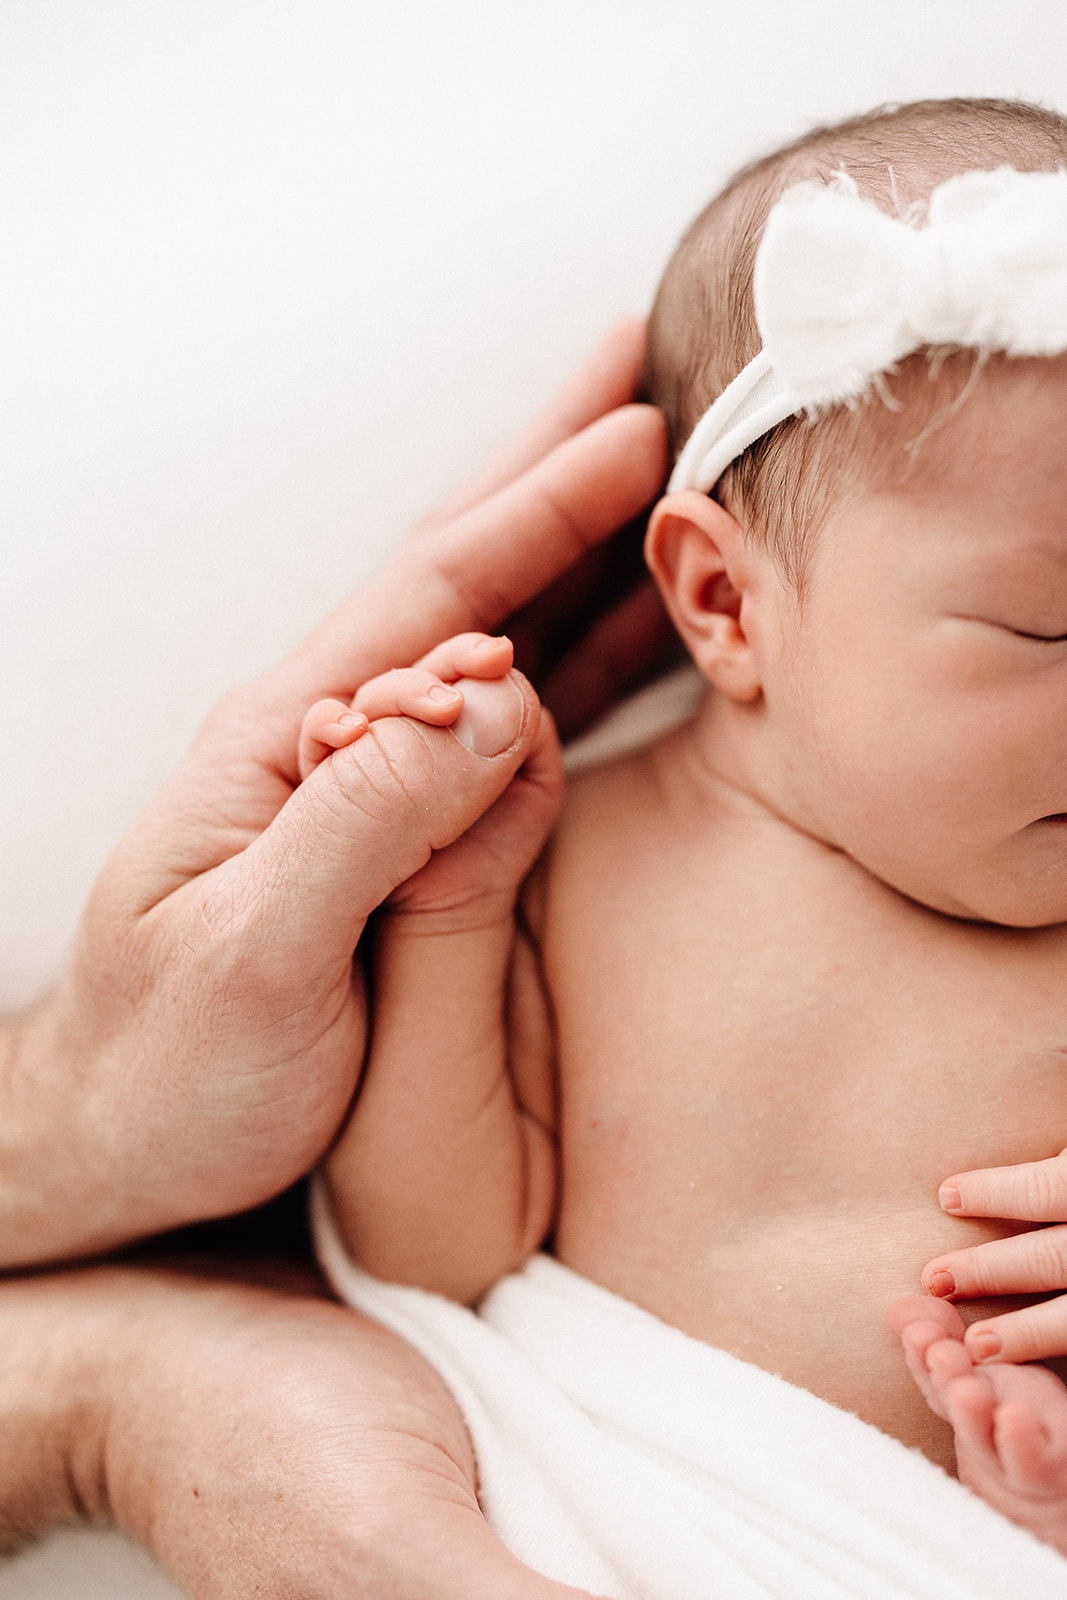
(626, 1458)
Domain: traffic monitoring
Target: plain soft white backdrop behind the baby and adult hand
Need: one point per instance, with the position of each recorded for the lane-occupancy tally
(273, 273)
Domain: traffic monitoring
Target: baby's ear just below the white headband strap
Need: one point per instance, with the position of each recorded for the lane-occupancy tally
(706, 575)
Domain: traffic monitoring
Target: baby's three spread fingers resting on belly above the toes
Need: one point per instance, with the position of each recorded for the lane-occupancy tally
(1029, 1263)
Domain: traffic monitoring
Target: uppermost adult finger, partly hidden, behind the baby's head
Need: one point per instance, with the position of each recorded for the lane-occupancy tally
(605, 382)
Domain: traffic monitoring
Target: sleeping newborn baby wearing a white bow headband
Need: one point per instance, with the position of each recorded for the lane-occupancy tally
(780, 974)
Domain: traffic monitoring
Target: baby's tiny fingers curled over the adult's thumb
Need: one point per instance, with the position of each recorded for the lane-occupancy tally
(426, 692)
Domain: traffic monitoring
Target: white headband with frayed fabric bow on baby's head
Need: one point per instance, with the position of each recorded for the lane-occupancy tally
(844, 292)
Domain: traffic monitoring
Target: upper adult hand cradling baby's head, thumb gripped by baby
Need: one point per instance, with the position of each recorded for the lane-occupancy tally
(209, 1039)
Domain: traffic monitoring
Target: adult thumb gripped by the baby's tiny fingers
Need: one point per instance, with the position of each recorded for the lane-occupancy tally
(372, 815)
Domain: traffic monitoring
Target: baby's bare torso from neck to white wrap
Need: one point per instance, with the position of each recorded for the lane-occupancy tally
(753, 1145)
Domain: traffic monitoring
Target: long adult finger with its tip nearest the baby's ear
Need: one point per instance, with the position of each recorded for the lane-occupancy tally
(484, 566)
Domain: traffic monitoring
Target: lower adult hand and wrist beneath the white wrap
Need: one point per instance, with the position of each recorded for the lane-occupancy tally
(258, 1439)
